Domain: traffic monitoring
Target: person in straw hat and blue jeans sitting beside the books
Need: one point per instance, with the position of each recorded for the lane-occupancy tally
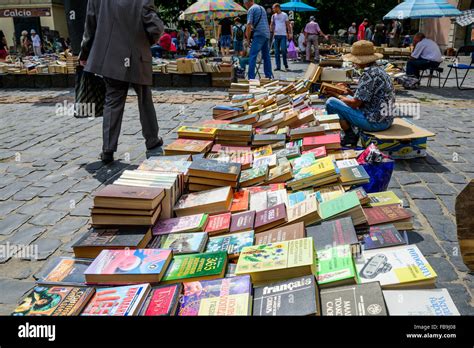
(368, 108)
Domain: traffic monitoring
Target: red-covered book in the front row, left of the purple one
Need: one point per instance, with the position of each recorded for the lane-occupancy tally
(162, 301)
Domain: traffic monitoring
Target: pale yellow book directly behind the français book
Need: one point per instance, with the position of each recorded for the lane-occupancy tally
(281, 255)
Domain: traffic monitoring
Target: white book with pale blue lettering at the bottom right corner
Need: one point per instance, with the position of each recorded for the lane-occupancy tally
(436, 302)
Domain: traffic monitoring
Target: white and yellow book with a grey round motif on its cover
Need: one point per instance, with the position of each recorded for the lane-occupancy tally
(396, 267)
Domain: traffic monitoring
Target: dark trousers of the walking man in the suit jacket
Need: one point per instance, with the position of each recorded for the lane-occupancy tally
(115, 98)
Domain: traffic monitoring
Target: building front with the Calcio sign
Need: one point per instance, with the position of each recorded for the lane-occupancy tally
(40, 15)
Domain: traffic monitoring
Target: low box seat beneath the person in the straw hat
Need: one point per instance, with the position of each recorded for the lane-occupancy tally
(403, 140)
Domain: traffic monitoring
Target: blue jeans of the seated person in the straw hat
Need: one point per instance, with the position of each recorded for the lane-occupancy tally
(354, 116)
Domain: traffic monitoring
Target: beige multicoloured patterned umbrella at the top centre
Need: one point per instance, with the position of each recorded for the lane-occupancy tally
(212, 9)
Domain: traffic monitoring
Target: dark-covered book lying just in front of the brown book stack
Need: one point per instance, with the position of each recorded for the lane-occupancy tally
(97, 239)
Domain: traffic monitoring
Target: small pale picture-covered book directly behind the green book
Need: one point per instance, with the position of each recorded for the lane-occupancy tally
(185, 243)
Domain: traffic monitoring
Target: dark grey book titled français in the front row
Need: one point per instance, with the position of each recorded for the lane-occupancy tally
(297, 296)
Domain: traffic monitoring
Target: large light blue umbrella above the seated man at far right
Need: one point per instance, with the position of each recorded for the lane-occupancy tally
(423, 9)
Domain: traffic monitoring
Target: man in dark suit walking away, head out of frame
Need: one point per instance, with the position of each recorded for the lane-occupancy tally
(116, 44)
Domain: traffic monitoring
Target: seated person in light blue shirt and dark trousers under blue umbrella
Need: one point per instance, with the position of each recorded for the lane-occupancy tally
(426, 55)
